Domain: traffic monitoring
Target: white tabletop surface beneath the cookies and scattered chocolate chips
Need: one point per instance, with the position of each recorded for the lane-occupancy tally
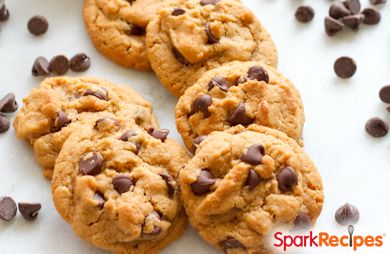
(354, 166)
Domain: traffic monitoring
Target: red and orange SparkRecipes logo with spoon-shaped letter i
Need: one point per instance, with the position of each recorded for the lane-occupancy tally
(324, 239)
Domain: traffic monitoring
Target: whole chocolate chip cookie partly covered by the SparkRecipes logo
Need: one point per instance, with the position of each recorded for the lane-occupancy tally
(242, 184)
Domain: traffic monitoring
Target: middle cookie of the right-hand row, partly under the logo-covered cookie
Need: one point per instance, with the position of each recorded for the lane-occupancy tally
(239, 93)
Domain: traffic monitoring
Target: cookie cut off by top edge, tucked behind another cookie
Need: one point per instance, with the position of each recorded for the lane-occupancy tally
(117, 29)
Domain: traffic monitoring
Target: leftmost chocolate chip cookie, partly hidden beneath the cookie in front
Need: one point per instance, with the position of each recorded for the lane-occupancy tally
(54, 110)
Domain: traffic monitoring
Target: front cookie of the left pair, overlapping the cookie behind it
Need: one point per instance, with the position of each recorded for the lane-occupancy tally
(117, 186)
